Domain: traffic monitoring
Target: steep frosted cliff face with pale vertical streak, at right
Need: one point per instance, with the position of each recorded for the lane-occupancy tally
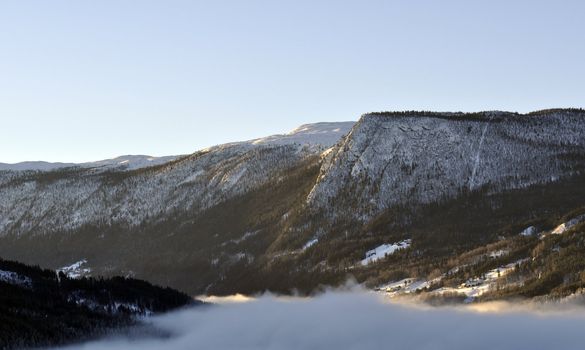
(413, 158)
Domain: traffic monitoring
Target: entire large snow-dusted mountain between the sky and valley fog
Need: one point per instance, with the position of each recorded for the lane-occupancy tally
(437, 199)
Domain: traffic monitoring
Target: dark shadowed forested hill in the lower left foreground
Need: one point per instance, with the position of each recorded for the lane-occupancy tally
(41, 307)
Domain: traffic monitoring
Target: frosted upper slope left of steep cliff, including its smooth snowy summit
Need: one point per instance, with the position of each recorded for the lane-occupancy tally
(31, 202)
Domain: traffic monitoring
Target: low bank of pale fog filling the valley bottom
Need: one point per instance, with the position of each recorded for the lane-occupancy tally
(356, 320)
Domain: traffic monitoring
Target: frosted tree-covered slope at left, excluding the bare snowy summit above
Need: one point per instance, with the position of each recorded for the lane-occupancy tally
(194, 183)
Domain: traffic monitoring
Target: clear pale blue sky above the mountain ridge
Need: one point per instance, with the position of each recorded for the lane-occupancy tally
(86, 80)
